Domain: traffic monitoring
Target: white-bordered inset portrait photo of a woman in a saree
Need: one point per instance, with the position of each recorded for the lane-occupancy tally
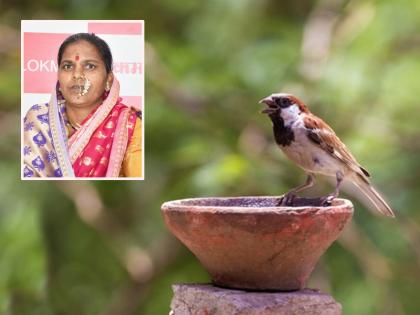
(82, 99)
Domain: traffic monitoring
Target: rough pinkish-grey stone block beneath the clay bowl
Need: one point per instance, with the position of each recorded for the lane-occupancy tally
(207, 299)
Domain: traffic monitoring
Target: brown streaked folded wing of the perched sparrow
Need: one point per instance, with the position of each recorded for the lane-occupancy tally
(322, 135)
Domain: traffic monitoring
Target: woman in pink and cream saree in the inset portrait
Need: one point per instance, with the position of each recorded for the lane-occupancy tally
(85, 130)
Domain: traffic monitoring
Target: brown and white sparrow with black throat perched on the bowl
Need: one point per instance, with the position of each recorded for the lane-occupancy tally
(310, 143)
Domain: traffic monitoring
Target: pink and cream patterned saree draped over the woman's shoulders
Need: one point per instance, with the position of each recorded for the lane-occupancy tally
(96, 149)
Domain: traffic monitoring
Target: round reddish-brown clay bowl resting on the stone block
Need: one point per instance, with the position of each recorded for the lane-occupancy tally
(250, 243)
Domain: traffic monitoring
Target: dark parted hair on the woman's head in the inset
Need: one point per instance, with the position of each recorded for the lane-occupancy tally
(99, 43)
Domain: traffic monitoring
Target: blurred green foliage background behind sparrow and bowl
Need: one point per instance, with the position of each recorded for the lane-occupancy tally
(102, 248)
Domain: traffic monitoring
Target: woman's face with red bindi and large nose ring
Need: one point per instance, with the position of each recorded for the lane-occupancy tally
(82, 75)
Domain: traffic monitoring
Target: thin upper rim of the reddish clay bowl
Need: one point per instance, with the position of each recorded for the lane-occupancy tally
(344, 205)
